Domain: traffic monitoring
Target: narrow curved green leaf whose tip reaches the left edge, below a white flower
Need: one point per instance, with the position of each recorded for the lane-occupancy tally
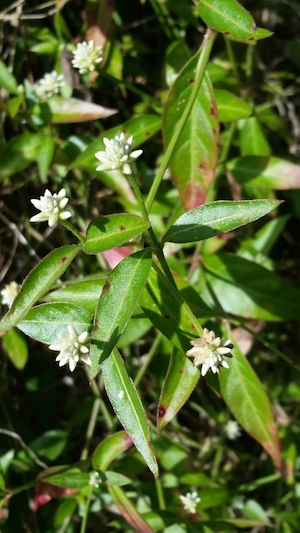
(37, 283)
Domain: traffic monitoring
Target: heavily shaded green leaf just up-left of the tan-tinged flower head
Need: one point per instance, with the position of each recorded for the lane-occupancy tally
(168, 312)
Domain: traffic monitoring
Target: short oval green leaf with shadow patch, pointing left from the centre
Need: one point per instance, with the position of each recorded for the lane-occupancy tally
(110, 231)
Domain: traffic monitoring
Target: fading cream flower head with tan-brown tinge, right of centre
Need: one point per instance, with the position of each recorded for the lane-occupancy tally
(208, 351)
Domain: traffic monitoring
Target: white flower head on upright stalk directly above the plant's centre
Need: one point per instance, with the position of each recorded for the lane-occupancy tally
(118, 154)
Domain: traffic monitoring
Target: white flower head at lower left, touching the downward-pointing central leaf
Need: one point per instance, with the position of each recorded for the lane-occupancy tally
(72, 349)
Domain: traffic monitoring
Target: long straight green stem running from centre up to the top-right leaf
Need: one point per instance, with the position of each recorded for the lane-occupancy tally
(200, 71)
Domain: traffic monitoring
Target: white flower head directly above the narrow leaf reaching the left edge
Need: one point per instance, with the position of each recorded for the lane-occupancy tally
(51, 207)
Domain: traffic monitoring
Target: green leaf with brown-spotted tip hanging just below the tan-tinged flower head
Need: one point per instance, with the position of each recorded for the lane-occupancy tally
(180, 381)
